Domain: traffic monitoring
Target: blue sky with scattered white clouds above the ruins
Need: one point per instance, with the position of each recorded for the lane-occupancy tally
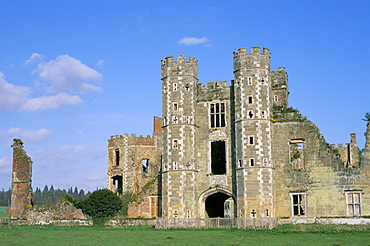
(73, 73)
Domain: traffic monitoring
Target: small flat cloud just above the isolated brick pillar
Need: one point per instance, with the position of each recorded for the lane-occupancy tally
(28, 135)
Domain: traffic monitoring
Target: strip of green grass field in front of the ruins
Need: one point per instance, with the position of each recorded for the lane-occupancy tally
(140, 235)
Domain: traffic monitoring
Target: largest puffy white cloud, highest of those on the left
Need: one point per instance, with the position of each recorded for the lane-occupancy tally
(68, 73)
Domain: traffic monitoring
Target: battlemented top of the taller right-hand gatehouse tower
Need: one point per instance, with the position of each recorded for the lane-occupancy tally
(253, 59)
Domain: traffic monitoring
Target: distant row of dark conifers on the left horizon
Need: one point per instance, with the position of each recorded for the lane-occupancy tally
(49, 196)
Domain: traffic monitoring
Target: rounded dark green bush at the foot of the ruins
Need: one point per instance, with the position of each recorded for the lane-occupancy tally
(101, 205)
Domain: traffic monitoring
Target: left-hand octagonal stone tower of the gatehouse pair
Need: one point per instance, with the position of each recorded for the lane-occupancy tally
(179, 81)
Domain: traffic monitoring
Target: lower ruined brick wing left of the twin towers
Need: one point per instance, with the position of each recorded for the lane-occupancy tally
(133, 166)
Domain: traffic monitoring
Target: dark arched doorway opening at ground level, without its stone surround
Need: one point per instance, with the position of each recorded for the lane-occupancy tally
(218, 205)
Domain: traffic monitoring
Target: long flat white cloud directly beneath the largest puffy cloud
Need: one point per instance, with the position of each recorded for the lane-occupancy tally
(51, 102)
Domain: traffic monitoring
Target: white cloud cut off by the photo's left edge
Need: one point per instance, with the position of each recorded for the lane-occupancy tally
(12, 96)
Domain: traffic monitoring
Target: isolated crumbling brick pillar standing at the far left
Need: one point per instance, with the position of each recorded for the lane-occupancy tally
(21, 181)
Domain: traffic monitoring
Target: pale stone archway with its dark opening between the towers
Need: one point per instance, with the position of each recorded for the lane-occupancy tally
(215, 202)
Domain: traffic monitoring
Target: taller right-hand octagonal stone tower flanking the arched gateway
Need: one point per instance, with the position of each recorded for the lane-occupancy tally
(253, 107)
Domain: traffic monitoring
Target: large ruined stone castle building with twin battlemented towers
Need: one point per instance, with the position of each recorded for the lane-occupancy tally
(236, 151)
